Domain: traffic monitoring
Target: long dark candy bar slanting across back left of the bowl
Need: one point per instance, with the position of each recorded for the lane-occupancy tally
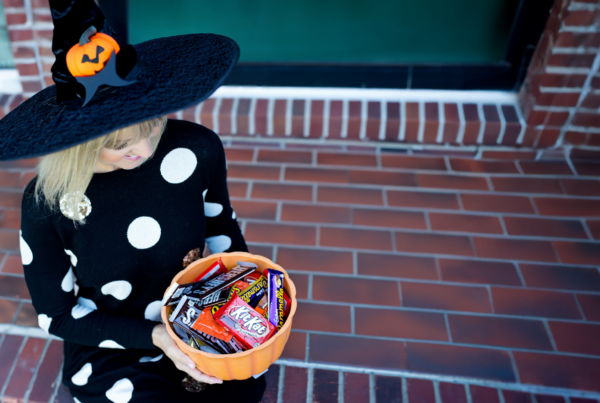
(204, 289)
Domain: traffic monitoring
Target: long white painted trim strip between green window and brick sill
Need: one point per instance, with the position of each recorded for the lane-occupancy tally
(371, 94)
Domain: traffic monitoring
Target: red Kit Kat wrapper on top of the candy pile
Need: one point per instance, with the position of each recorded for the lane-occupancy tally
(247, 325)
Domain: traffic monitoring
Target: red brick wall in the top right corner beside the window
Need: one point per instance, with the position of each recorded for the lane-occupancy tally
(561, 95)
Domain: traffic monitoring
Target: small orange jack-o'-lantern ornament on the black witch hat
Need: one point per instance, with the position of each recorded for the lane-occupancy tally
(91, 54)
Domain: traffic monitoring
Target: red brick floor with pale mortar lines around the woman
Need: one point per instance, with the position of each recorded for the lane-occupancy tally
(431, 263)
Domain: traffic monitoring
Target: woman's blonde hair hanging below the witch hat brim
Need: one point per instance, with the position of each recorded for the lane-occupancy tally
(69, 172)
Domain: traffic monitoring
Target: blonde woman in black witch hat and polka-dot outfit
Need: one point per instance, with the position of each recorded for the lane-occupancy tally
(117, 204)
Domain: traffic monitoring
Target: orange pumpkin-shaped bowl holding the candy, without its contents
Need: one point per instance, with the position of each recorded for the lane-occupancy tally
(248, 363)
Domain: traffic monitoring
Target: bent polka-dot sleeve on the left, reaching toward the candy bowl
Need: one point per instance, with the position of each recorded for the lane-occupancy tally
(49, 272)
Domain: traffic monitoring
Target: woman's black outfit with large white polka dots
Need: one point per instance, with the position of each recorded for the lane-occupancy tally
(121, 268)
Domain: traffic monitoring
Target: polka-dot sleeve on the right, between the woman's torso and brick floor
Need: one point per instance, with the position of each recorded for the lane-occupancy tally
(223, 232)
